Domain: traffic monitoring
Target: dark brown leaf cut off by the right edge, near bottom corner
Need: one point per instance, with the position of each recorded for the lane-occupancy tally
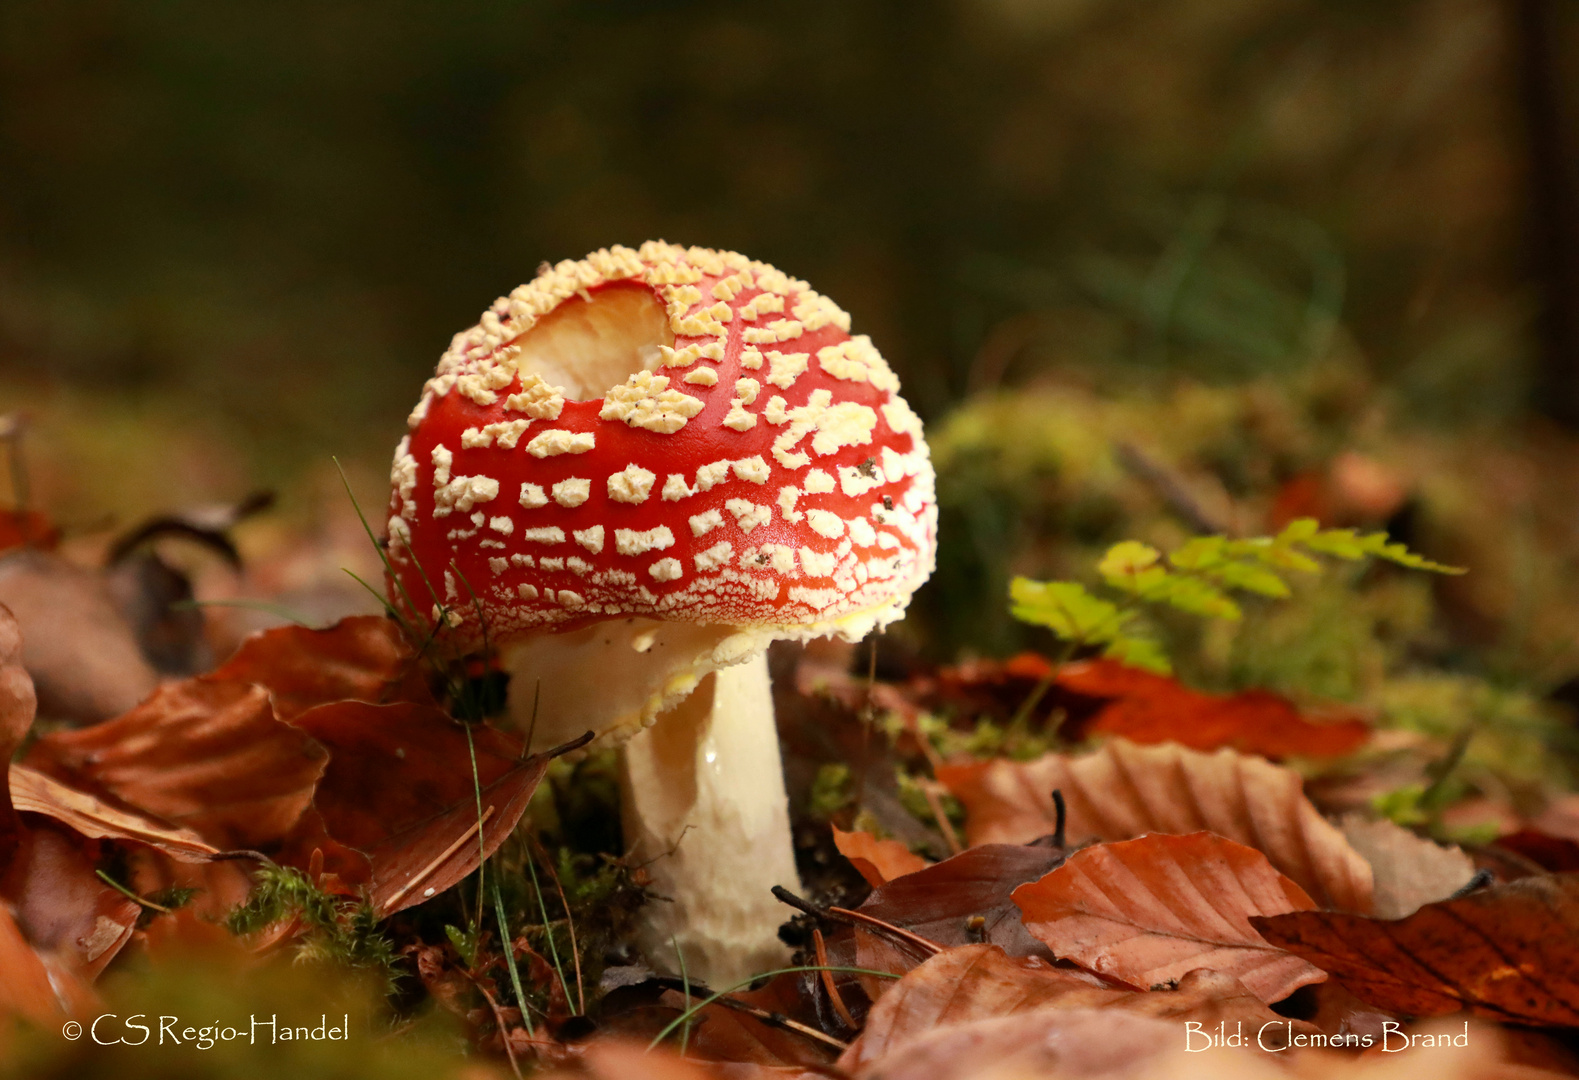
(1509, 953)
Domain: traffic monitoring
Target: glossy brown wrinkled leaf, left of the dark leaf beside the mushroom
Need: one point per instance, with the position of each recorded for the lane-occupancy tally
(204, 754)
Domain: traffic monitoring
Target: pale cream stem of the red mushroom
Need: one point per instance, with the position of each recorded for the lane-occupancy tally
(705, 809)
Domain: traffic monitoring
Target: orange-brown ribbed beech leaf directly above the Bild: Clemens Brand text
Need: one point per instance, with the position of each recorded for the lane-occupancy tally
(1150, 910)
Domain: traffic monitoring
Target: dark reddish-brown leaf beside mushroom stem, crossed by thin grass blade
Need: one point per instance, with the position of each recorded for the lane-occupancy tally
(399, 789)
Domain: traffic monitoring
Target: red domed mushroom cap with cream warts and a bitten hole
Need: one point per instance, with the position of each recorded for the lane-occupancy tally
(752, 465)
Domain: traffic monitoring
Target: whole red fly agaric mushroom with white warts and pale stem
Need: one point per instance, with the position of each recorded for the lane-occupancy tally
(632, 476)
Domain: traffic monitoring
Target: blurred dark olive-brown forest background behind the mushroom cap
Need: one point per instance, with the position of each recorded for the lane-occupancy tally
(236, 238)
